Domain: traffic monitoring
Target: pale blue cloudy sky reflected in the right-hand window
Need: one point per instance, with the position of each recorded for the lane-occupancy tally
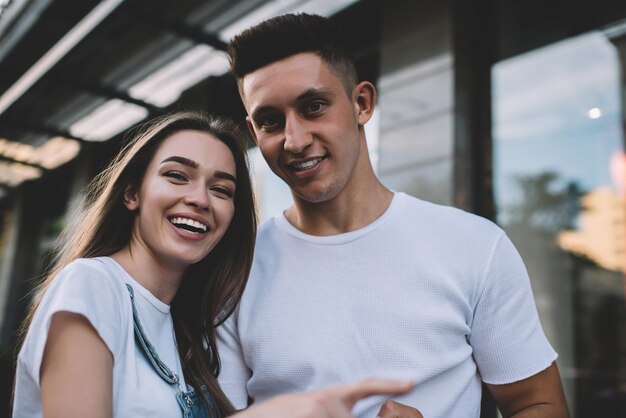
(540, 105)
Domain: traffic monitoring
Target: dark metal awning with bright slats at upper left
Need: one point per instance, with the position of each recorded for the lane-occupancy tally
(75, 71)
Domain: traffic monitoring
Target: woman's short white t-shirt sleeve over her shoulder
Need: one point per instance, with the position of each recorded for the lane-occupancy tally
(81, 288)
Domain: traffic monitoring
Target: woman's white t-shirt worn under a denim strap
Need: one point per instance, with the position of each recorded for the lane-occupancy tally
(95, 288)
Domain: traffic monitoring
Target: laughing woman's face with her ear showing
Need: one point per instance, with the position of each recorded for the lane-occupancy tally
(186, 200)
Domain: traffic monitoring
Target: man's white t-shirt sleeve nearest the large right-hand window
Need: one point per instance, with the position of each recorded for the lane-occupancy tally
(506, 335)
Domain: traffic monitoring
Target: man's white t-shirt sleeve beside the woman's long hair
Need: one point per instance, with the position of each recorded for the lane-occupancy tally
(234, 373)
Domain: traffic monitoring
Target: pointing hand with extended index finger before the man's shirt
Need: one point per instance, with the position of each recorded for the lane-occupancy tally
(332, 402)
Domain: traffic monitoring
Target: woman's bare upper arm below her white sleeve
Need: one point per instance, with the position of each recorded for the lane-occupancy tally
(76, 372)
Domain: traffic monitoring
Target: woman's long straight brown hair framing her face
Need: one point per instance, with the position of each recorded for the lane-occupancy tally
(211, 288)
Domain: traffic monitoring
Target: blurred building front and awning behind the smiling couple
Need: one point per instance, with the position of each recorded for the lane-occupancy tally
(514, 110)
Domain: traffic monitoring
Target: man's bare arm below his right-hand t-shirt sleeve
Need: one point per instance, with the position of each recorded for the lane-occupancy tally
(538, 396)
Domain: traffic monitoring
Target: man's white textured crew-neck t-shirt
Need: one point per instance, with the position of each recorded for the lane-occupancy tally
(427, 293)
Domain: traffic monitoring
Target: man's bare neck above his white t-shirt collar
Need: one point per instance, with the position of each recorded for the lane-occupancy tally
(349, 211)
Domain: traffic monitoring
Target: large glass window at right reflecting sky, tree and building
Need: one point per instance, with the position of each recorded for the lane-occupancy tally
(559, 190)
